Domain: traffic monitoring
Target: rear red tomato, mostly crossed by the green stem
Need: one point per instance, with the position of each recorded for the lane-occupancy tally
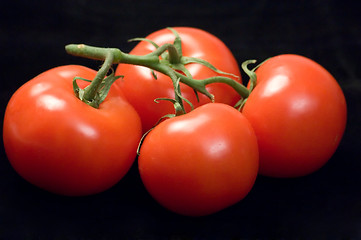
(141, 88)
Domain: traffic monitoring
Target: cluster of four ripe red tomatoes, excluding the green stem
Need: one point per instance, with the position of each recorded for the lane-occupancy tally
(195, 163)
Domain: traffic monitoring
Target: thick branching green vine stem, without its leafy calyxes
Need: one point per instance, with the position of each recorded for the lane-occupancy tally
(152, 60)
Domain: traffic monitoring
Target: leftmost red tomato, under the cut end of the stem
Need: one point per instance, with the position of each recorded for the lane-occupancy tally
(62, 145)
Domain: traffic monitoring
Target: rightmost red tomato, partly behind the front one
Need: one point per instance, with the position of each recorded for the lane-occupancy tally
(298, 112)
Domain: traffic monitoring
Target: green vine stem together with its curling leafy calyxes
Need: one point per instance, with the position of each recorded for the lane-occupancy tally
(166, 59)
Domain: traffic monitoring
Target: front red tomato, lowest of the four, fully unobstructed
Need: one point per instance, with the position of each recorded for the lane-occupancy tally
(201, 162)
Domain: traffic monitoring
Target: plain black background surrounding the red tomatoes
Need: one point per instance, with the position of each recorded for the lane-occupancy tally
(323, 205)
